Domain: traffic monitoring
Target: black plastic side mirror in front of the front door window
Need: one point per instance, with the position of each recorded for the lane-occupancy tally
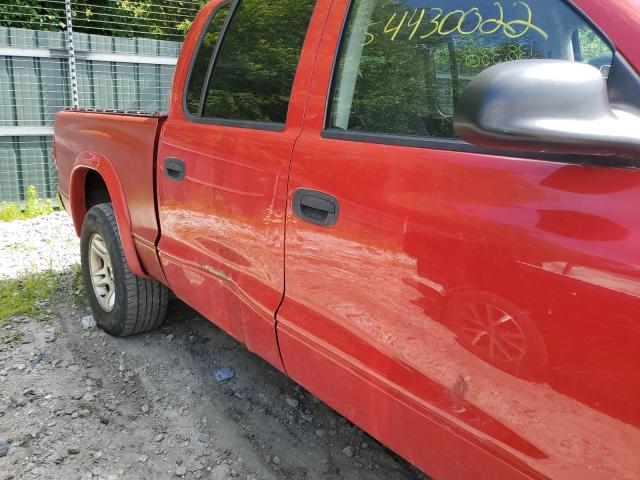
(545, 106)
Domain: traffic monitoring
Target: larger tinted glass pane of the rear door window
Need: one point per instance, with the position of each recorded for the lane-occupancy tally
(256, 65)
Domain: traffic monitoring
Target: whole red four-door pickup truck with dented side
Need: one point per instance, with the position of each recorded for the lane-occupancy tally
(426, 213)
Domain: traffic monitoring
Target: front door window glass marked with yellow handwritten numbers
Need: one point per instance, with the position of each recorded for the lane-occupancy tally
(403, 63)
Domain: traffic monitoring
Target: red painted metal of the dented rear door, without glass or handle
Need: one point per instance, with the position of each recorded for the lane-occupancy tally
(223, 226)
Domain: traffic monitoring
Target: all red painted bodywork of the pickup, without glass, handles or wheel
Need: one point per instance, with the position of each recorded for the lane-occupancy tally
(377, 309)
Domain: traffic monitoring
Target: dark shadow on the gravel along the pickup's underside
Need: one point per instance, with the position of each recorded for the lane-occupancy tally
(261, 410)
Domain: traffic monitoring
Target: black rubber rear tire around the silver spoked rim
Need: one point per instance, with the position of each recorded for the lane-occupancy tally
(140, 304)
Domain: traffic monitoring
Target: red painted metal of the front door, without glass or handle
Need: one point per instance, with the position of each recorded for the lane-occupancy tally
(426, 237)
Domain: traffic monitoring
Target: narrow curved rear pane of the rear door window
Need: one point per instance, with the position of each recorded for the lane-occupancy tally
(203, 57)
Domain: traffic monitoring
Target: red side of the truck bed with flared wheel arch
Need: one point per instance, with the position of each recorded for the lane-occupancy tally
(121, 148)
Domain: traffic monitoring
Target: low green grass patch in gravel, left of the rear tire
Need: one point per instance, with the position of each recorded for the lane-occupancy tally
(26, 295)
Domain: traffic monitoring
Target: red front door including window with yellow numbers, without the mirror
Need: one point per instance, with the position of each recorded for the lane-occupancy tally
(475, 310)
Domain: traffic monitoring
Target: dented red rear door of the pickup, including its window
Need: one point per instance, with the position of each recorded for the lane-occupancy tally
(223, 160)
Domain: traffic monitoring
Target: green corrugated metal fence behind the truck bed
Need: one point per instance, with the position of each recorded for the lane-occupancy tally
(34, 89)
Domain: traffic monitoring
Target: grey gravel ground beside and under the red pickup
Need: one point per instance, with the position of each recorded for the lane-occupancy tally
(76, 403)
